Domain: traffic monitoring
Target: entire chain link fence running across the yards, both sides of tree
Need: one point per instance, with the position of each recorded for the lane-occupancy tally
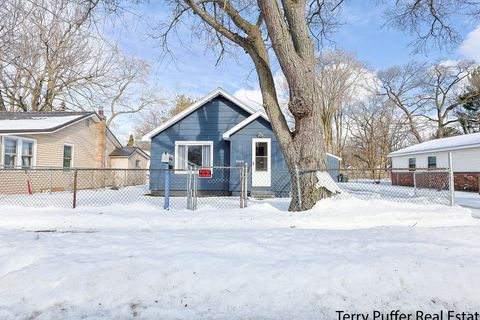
(211, 187)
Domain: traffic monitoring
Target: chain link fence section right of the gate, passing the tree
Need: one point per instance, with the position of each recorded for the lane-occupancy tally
(423, 186)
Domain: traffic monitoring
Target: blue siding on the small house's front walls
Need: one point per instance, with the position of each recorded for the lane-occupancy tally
(209, 123)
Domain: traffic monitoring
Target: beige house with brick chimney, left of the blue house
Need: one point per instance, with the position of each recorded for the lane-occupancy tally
(63, 140)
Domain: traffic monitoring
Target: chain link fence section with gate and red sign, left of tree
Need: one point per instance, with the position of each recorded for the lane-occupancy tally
(165, 188)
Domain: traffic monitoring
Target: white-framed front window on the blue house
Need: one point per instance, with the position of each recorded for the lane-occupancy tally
(193, 153)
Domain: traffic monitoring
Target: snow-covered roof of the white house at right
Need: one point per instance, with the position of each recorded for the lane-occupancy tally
(466, 141)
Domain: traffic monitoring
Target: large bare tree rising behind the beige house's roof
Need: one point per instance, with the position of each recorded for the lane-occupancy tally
(50, 53)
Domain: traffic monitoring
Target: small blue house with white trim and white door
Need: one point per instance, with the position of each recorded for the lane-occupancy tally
(222, 132)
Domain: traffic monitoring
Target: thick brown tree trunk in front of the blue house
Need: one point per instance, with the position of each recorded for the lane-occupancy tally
(296, 55)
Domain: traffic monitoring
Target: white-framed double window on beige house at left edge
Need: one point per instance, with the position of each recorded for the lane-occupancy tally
(18, 152)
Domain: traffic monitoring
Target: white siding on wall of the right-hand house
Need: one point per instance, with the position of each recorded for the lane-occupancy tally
(467, 160)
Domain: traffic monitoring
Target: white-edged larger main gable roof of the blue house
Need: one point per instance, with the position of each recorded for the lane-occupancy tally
(195, 106)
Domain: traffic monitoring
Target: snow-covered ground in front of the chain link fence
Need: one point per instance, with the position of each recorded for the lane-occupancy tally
(137, 261)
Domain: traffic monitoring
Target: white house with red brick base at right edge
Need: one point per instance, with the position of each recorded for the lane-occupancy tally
(465, 151)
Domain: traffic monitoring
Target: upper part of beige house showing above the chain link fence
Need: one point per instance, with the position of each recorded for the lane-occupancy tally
(61, 140)
